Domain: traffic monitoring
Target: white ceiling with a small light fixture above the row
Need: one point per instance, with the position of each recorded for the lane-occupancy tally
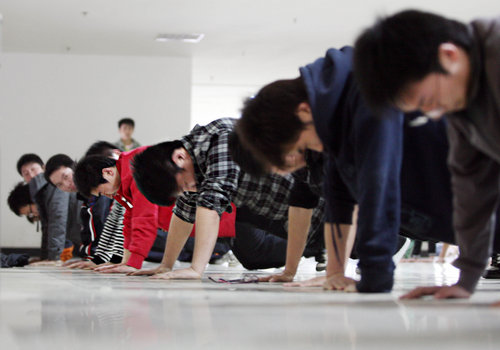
(246, 42)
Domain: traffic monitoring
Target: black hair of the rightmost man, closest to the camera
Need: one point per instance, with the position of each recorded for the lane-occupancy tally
(400, 50)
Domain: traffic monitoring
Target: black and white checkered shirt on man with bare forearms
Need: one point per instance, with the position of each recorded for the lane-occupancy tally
(220, 181)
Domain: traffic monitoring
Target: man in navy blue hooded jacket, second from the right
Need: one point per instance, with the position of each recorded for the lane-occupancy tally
(323, 111)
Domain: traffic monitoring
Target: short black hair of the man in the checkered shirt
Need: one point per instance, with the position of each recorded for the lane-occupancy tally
(154, 173)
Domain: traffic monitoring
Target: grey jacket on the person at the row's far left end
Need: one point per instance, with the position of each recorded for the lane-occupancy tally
(56, 215)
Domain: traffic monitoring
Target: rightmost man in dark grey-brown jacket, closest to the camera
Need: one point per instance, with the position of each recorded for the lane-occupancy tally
(417, 60)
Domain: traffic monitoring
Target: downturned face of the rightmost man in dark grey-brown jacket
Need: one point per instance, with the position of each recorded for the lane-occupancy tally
(435, 95)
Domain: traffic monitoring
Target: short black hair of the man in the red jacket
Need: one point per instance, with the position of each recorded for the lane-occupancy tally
(88, 173)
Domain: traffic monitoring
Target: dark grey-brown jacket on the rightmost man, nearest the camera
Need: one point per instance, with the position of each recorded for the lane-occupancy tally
(474, 157)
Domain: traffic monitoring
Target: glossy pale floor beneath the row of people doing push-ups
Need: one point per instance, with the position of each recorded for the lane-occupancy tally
(55, 308)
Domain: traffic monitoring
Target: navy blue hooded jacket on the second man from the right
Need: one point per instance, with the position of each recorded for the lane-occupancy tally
(362, 164)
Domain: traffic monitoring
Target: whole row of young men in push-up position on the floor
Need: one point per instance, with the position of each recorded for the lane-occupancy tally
(342, 157)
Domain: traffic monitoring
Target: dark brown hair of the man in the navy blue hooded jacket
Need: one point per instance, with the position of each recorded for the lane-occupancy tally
(269, 124)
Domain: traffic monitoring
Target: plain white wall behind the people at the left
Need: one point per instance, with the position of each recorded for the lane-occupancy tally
(62, 103)
